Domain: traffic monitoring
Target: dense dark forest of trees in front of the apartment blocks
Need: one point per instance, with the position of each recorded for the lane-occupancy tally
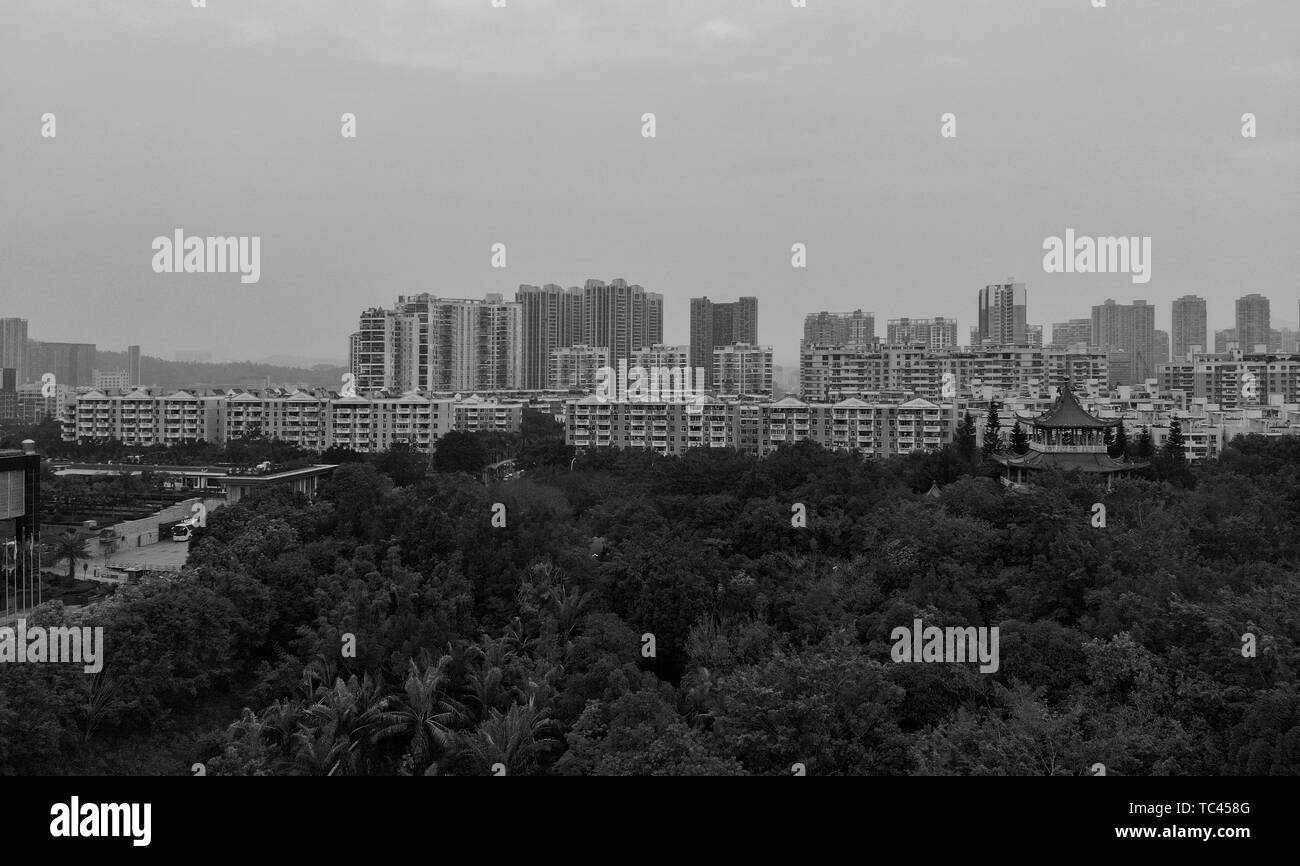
(391, 629)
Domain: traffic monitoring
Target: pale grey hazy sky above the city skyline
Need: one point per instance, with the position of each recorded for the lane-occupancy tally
(523, 125)
